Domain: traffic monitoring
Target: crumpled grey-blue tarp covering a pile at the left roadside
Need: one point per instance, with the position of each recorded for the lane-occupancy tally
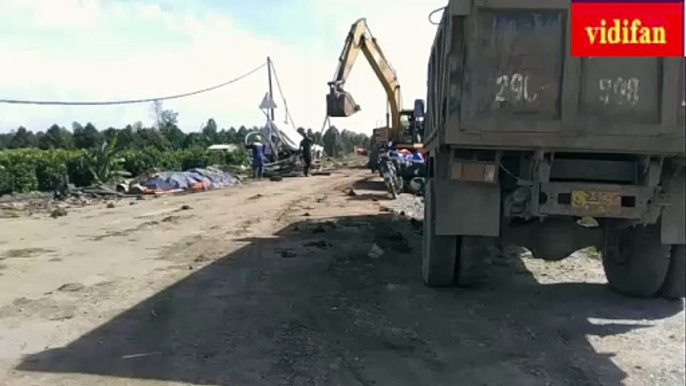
(214, 178)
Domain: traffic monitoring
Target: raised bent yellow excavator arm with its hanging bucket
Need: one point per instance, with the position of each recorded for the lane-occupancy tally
(340, 103)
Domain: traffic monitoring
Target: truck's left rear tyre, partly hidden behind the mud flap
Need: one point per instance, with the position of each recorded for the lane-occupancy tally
(438, 252)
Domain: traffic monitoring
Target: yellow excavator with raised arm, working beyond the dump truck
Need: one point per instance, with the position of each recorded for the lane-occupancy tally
(406, 126)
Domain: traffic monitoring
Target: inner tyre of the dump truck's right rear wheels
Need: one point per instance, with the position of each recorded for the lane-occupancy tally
(635, 261)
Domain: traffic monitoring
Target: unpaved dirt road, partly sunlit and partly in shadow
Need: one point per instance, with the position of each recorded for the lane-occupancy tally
(298, 283)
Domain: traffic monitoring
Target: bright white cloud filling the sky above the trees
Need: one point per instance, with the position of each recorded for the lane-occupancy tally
(119, 50)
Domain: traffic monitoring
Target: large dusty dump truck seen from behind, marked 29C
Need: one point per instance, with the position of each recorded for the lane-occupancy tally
(527, 145)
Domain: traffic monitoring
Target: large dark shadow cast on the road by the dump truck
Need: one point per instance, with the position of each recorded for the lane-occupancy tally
(342, 303)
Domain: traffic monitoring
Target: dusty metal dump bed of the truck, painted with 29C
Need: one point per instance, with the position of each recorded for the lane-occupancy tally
(501, 76)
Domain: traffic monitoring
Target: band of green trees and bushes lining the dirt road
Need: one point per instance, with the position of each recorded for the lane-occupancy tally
(46, 161)
